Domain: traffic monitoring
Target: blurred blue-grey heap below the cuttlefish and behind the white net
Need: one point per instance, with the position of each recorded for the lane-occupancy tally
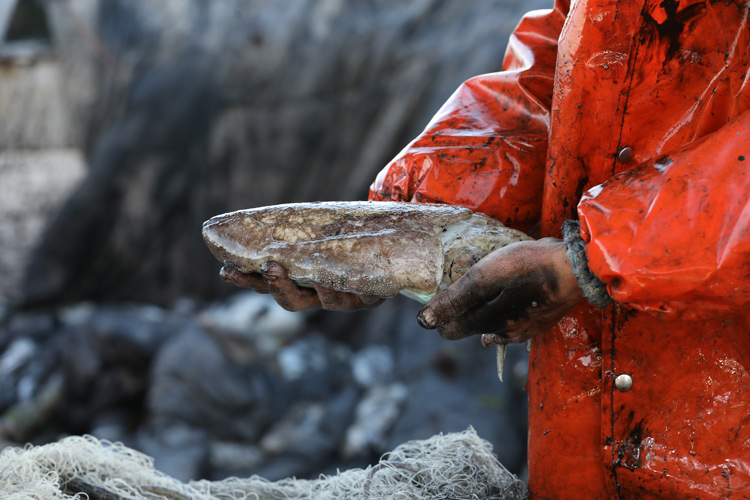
(242, 387)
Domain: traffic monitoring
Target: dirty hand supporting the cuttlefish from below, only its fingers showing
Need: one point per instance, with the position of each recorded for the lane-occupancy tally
(292, 297)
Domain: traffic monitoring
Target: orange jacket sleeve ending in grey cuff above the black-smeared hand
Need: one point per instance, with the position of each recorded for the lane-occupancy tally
(673, 236)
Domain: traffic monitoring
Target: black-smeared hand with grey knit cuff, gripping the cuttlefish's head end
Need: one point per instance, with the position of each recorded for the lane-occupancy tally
(511, 295)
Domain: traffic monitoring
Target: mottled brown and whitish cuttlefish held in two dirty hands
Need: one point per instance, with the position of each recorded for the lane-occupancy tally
(373, 248)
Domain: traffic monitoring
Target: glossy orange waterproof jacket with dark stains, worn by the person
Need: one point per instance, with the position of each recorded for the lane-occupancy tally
(633, 117)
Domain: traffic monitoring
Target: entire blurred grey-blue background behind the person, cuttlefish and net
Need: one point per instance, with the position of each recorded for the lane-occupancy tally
(126, 124)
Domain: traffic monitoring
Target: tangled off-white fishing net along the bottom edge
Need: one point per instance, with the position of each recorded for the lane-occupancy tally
(453, 466)
